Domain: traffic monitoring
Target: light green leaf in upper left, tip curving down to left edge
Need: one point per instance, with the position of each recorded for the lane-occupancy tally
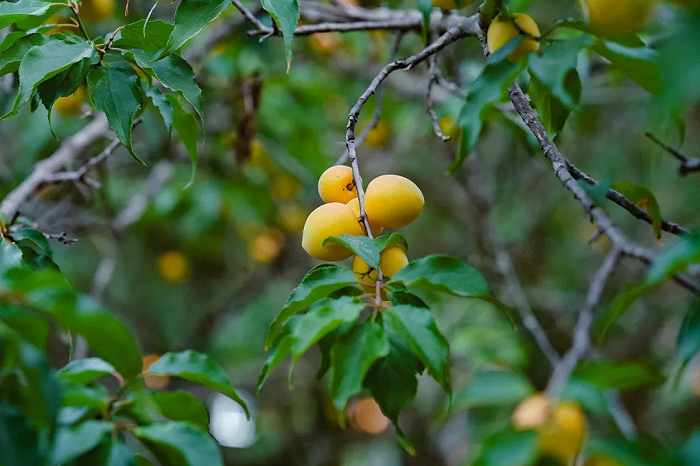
(45, 61)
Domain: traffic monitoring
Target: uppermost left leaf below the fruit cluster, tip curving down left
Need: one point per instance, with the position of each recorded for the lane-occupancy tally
(318, 283)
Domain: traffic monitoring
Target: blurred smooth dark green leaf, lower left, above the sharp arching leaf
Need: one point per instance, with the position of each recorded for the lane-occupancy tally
(108, 337)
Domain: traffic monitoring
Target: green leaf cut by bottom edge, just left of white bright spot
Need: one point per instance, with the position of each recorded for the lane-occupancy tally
(183, 441)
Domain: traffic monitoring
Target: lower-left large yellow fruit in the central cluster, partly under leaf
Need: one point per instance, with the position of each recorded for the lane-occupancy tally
(333, 219)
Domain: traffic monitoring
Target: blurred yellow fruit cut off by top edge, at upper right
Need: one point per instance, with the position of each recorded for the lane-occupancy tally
(617, 17)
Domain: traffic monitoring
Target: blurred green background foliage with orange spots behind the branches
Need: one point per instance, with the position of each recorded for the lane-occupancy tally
(210, 266)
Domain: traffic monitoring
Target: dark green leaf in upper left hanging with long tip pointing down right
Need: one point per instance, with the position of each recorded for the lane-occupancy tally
(114, 91)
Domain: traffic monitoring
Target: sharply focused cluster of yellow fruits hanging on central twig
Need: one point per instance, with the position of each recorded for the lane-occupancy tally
(391, 201)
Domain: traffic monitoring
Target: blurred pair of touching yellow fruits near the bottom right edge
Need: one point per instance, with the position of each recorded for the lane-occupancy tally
(561, 425)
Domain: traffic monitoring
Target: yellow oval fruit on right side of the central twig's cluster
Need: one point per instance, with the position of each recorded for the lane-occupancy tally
(393, 201)
